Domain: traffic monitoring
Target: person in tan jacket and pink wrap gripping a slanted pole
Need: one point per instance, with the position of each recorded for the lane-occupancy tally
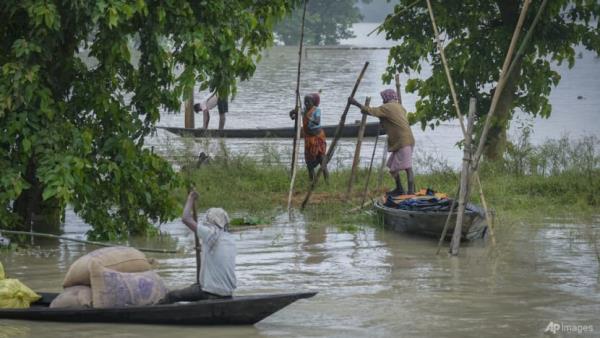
(401, 141)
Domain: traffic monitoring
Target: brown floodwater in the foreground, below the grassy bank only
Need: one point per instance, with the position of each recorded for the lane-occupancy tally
(371, 283)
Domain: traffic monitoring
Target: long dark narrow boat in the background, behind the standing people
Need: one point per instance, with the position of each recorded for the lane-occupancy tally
(350, 130)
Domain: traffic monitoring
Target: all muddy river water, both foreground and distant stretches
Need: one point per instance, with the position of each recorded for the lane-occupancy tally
(370, 282)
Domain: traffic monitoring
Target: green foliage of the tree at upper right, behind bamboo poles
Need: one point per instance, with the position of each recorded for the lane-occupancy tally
(476, 37)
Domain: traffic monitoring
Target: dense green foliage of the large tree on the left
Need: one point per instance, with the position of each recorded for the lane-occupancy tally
(82, 85)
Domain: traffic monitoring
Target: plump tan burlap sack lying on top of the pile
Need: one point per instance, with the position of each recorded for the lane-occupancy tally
(119, 258)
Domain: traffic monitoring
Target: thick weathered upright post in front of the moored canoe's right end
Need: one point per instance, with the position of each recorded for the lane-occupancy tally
(464, 180)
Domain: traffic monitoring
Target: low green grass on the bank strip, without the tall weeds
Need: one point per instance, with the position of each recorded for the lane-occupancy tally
(244, 186)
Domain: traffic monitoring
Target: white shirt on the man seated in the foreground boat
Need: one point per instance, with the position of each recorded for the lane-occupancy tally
(217, 273)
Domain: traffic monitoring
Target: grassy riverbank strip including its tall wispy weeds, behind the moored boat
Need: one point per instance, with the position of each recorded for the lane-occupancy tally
(557, 178)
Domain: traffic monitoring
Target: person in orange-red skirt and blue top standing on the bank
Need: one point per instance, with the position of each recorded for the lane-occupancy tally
(315, 144)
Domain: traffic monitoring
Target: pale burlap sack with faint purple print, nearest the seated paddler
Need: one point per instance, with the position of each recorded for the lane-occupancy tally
(111, 288)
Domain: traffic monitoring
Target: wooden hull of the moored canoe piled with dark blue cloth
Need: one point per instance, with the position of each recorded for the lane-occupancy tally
(431, 223)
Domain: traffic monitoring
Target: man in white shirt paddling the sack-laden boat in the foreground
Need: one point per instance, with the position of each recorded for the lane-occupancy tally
(217, 271)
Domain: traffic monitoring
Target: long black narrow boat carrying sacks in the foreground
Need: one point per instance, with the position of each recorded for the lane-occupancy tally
(239, 310)
